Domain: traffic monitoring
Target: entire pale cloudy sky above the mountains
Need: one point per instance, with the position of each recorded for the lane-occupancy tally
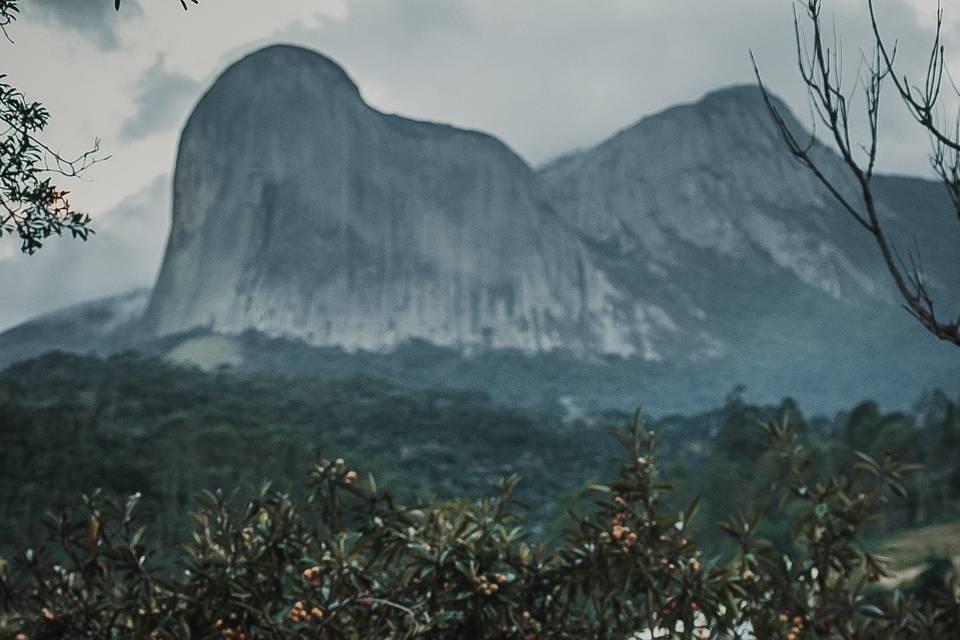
(545, 76)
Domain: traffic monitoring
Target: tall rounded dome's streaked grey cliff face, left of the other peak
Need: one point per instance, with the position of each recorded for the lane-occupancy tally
(299, 210)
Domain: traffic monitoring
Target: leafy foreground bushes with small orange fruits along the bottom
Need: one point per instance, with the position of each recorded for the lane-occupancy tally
(347, 562)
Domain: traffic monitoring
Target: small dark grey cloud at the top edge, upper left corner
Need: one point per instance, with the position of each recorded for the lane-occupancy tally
(96, 20)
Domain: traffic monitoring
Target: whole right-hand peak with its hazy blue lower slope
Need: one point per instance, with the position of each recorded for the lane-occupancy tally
(707, 193)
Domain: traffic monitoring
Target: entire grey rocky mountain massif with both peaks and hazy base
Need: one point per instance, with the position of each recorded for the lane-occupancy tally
(684, 254)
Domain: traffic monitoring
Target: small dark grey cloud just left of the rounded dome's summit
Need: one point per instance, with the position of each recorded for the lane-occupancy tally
(162, 99)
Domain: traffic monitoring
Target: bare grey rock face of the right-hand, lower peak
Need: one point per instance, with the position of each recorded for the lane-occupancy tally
(714, 180)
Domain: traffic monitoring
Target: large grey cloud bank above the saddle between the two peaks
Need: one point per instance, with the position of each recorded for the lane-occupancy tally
(549, 79)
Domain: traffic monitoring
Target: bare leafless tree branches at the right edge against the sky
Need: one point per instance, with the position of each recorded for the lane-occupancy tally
(821, 69)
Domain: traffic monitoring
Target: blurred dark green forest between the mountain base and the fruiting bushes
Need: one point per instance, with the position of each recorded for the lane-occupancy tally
(132, 423)
